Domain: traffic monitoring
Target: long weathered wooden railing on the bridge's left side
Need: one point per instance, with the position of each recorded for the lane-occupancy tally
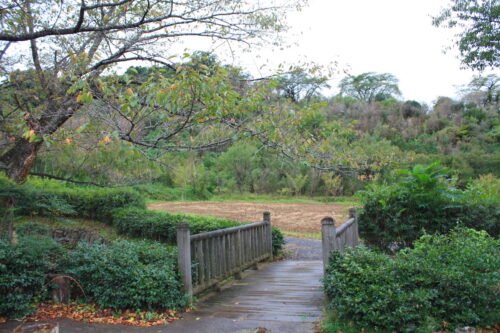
(207, 259)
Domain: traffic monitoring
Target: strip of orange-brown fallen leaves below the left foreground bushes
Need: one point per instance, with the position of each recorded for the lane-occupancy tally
(91, 313)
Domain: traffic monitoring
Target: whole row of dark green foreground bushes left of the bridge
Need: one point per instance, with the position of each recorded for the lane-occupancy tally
(124, 275)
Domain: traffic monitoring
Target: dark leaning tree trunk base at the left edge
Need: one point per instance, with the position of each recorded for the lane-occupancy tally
(20, 159)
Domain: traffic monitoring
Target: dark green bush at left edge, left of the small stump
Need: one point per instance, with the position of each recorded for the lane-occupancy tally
(22, 272)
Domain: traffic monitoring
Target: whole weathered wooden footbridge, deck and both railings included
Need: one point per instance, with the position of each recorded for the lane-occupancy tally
(284, 296)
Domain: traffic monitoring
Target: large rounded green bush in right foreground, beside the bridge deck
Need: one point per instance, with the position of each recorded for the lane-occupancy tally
(444, 280)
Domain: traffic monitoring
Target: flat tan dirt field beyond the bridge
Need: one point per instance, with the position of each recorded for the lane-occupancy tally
(286, 216)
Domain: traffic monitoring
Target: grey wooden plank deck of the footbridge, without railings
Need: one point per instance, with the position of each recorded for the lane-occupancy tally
(281, 297)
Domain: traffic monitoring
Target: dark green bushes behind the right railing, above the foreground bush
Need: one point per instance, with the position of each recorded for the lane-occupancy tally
(424, 199)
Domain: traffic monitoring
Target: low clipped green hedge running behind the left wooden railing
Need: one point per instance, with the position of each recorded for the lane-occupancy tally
(162, 226)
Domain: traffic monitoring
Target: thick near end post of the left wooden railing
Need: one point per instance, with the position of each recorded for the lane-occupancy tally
(184, 258)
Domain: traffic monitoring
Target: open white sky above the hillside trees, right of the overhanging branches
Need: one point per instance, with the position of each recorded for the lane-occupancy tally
(393, 36)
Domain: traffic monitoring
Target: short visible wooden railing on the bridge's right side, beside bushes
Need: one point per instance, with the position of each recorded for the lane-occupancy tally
(334, 238)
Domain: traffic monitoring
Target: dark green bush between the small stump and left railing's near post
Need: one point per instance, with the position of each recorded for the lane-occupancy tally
(127, 275)
